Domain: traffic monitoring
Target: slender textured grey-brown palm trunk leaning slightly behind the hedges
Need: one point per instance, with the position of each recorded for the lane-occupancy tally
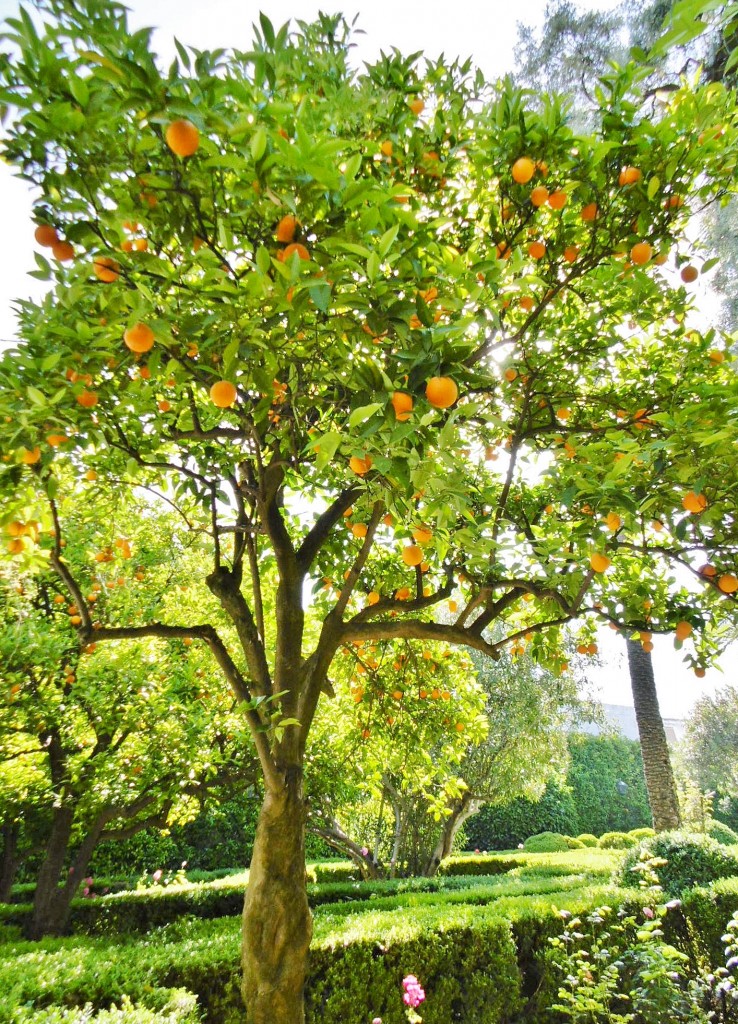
(657, 762)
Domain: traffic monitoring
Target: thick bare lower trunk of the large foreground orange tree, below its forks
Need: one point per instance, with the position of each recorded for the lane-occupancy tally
(278, 924)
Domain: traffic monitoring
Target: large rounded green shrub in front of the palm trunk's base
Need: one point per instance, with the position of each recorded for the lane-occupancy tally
(691, 861)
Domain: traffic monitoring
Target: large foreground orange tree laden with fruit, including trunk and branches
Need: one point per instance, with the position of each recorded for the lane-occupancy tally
(287, 289)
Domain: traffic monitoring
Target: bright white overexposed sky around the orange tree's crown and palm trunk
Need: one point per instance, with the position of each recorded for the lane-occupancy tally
(484, 30)
